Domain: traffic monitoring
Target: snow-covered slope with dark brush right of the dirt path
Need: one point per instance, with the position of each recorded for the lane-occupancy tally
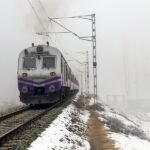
(130, 131)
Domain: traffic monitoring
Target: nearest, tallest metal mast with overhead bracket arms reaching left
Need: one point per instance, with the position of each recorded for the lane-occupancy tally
(91, 38)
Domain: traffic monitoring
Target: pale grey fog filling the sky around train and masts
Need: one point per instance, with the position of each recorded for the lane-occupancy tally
(123, 54)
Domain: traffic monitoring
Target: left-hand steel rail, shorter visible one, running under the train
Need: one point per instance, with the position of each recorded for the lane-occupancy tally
(13, 113)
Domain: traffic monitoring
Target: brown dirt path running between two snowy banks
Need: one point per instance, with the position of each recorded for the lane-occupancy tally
(97, 134)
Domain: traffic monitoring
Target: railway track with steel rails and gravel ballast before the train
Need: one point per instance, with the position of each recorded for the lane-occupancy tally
(19, 126)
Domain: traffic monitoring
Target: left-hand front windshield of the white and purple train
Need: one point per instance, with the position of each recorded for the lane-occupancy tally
(29, 63)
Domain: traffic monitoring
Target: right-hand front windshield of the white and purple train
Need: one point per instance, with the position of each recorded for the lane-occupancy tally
(49, 62)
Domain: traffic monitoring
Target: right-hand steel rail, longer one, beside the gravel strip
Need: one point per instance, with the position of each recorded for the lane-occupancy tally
(6, 136)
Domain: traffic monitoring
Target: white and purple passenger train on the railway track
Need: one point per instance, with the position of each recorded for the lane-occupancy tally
(44, 76)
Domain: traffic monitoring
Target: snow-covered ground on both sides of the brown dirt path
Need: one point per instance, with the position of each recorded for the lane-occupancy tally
(129, 131)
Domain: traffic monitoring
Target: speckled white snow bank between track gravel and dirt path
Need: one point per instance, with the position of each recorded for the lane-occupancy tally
(58, 136)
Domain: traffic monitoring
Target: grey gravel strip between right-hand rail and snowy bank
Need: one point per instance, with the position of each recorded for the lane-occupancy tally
(22, 140)
